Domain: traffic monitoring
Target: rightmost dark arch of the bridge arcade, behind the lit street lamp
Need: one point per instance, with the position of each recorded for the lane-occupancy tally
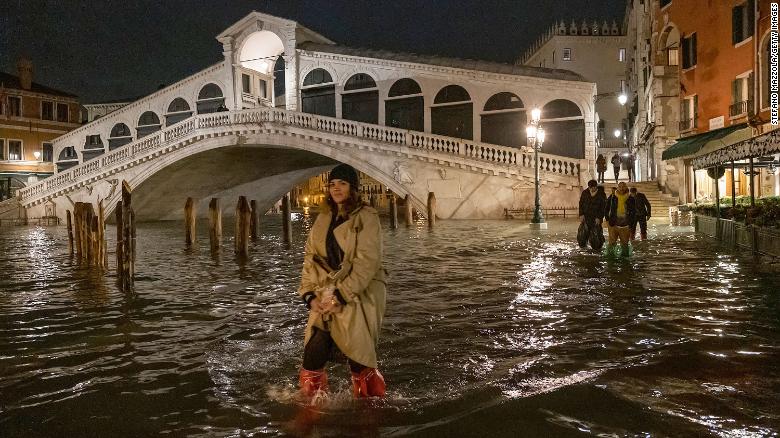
(565, 129)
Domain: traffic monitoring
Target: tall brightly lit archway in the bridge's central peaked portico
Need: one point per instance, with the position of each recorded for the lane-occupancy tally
(259, 58)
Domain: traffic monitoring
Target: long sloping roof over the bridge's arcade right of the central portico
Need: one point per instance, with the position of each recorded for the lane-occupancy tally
(468, 64)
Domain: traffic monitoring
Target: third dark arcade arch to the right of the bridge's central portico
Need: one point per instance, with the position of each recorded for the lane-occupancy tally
(404, 107)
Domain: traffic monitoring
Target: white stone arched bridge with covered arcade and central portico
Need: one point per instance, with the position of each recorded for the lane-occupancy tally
(286, 104)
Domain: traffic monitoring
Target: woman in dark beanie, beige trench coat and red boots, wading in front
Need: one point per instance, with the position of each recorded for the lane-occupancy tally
(343, 285)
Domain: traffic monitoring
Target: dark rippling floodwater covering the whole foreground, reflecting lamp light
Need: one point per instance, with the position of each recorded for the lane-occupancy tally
(492, 330)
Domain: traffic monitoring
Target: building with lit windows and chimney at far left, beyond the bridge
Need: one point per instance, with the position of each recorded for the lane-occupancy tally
(31, 117)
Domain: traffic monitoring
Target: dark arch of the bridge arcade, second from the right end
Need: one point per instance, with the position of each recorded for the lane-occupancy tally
(503, 120)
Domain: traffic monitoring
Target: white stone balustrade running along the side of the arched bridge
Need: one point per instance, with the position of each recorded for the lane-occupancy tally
(499, 155)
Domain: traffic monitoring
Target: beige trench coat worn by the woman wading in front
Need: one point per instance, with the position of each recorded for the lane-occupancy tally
(361, 282)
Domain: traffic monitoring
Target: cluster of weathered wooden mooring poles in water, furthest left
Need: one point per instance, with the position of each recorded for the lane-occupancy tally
(87, 237)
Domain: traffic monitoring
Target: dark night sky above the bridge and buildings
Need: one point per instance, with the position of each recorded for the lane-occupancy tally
(109, 49)
